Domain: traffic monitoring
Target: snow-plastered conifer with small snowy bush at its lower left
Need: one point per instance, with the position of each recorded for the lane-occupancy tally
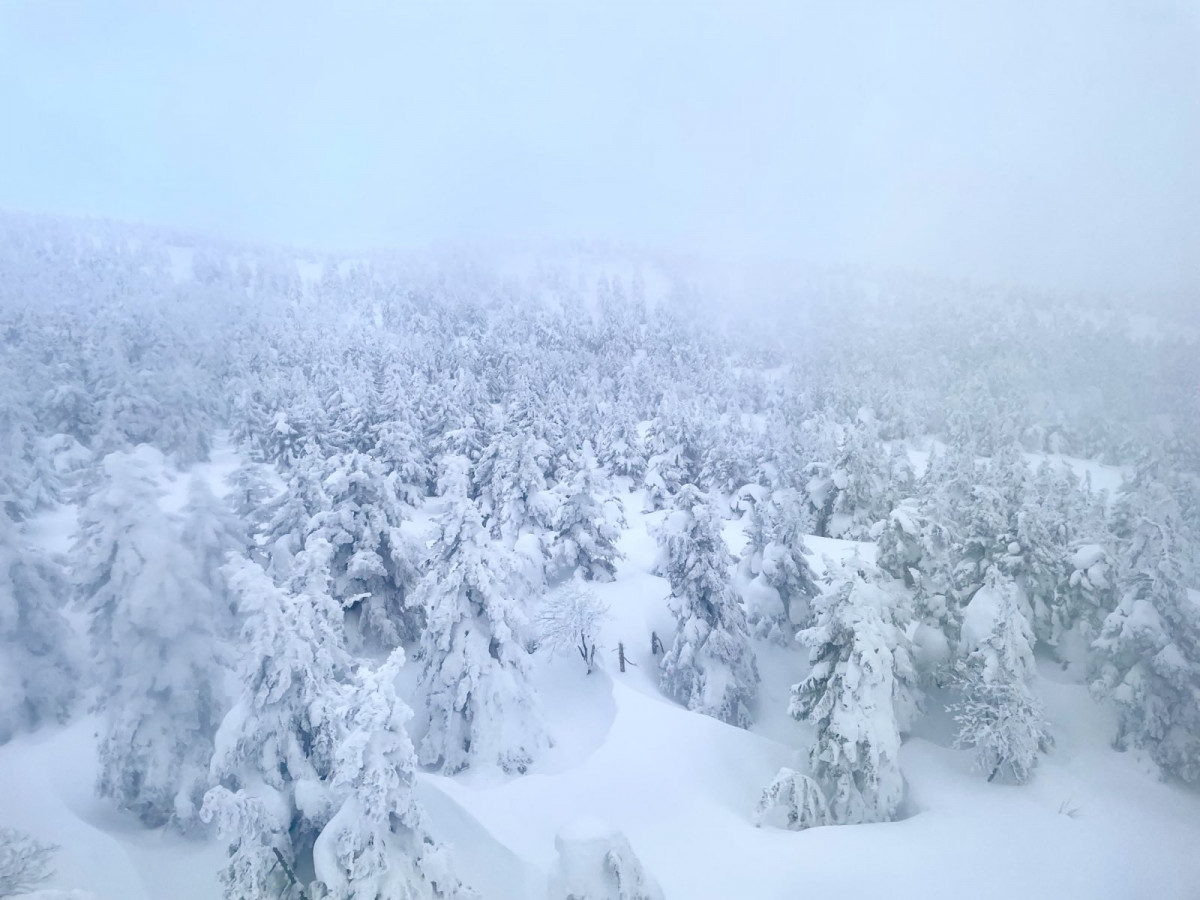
(860, 694)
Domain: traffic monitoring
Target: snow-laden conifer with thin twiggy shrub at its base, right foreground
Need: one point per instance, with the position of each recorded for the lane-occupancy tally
(999, 716)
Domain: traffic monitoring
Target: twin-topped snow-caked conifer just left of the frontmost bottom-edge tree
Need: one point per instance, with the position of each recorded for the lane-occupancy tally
(274, 752)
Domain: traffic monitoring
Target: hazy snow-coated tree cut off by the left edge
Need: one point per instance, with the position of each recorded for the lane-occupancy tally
(39, 656)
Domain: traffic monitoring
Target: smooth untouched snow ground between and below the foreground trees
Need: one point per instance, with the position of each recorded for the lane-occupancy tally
(1095, 824)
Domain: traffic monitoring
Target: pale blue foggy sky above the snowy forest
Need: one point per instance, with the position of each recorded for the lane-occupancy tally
(1043, 143)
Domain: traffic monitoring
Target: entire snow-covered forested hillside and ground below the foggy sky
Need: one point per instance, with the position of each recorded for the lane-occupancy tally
(587, 571)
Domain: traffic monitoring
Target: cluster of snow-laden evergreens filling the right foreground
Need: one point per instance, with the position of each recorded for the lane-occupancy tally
(987, 563)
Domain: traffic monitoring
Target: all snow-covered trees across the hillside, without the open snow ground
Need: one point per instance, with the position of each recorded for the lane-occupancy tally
(382, 393)
